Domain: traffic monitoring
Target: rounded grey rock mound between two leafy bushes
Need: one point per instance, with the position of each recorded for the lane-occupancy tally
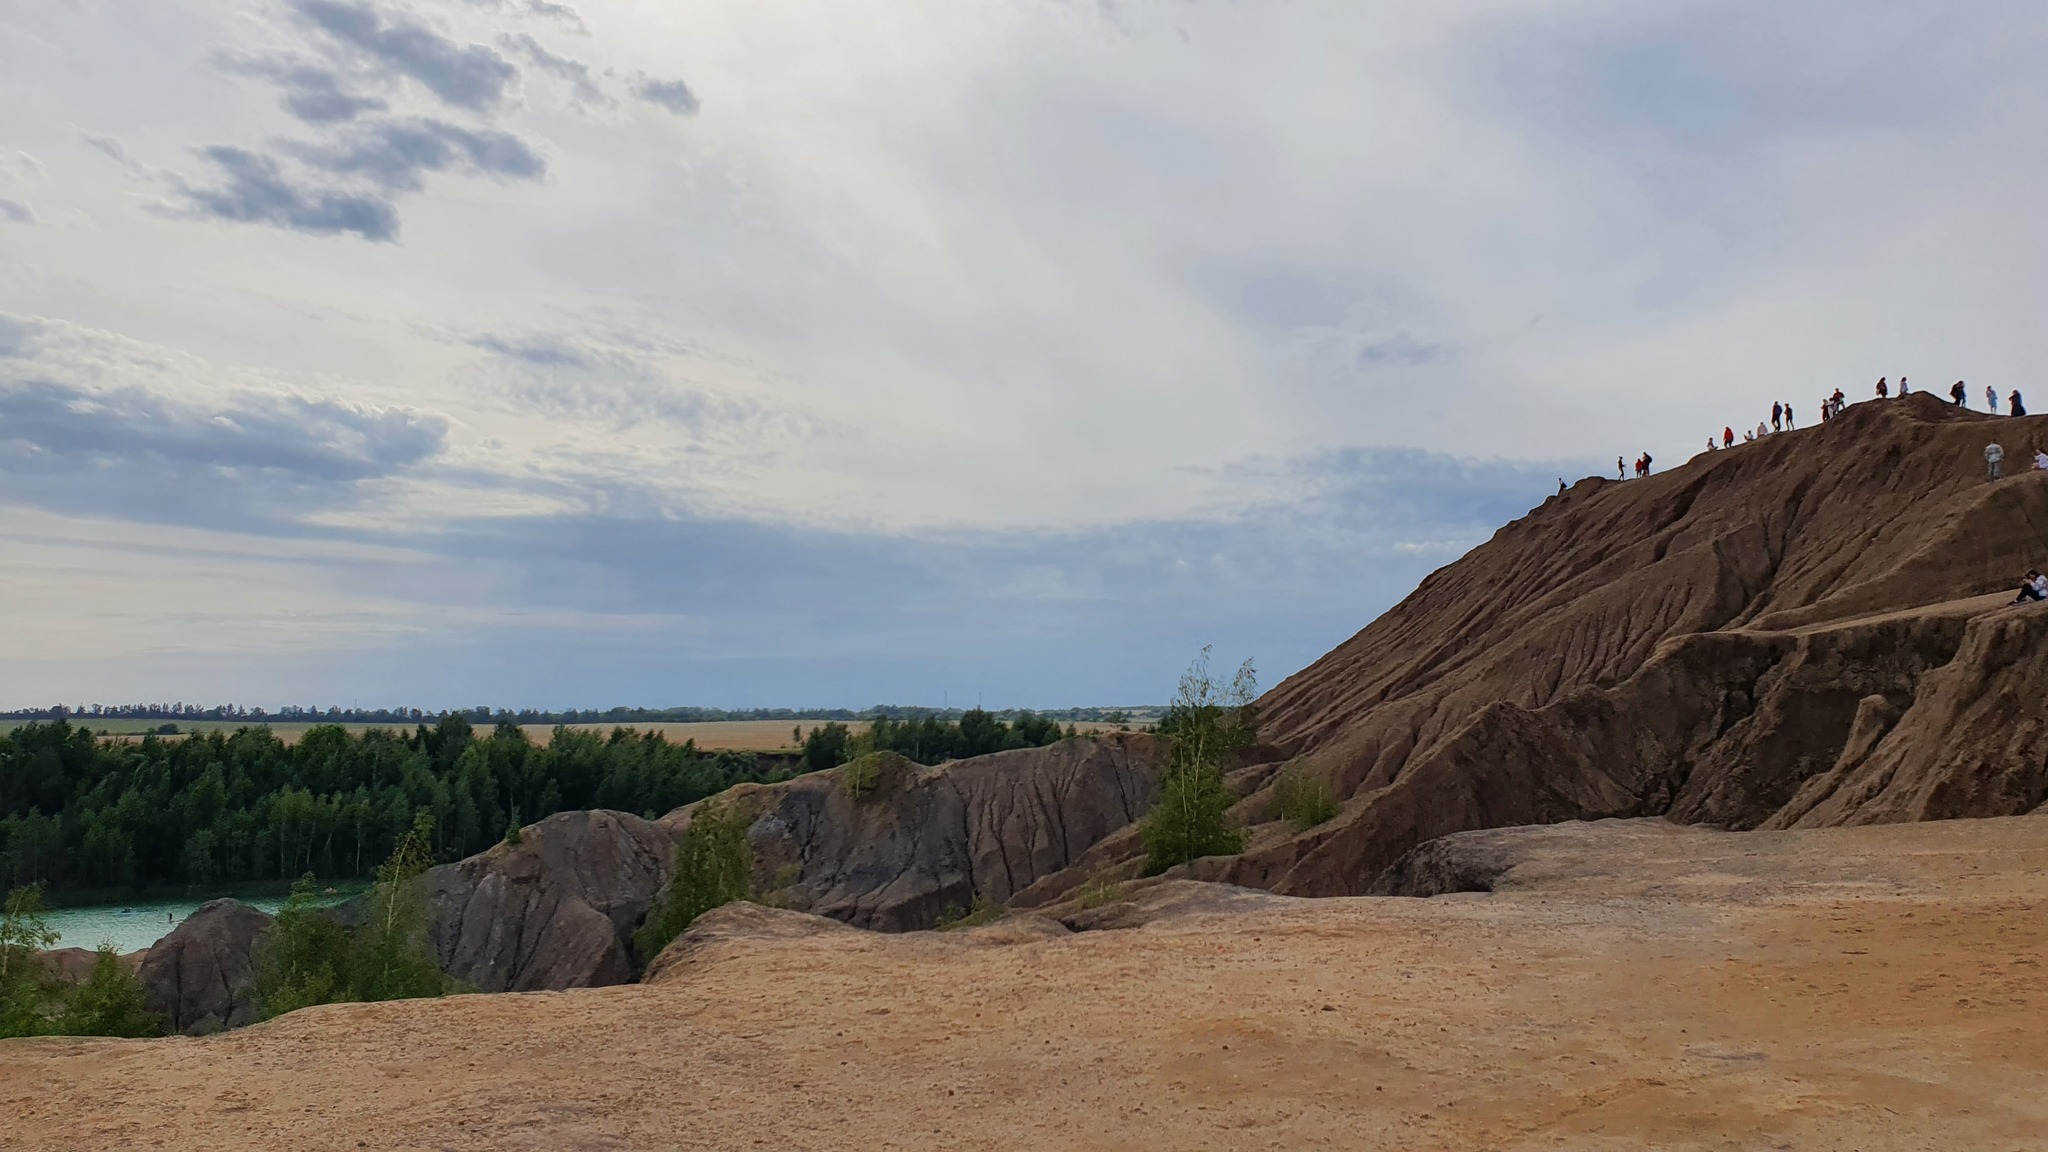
(554, 911)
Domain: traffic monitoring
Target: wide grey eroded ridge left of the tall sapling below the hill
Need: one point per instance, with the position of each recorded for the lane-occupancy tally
(894, 846)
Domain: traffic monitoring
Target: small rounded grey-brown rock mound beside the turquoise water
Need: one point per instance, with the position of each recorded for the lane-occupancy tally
(204, 975)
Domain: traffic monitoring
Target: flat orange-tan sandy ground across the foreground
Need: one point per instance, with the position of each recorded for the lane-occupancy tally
(1846, 989)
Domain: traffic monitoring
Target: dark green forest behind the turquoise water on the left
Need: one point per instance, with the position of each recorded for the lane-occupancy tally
(232, 809)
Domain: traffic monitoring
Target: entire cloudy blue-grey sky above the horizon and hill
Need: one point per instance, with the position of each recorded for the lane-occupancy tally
(746, 354)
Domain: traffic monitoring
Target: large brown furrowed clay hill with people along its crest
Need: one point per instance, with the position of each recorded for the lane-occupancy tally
(1809, 630)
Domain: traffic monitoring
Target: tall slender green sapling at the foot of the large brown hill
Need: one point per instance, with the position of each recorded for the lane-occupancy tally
(1203, 725)
